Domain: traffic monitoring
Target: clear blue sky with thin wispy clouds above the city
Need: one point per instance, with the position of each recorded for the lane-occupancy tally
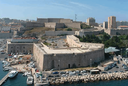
(33, 9)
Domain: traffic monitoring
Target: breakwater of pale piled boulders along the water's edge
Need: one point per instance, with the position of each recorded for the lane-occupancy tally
(89, 78)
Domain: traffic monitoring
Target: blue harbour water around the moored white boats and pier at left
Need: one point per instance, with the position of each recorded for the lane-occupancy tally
(19, 80)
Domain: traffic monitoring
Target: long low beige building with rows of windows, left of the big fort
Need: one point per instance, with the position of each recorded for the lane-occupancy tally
(20, 46)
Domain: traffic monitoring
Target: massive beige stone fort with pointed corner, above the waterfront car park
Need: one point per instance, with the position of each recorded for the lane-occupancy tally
(78, 54)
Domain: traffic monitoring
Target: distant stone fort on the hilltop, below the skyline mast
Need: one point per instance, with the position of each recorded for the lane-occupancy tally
(54, 23)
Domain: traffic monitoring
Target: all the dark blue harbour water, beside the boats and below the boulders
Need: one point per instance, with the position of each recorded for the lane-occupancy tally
(19, 80)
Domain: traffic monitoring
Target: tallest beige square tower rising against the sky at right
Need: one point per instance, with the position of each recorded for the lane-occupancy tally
(111, 22)
